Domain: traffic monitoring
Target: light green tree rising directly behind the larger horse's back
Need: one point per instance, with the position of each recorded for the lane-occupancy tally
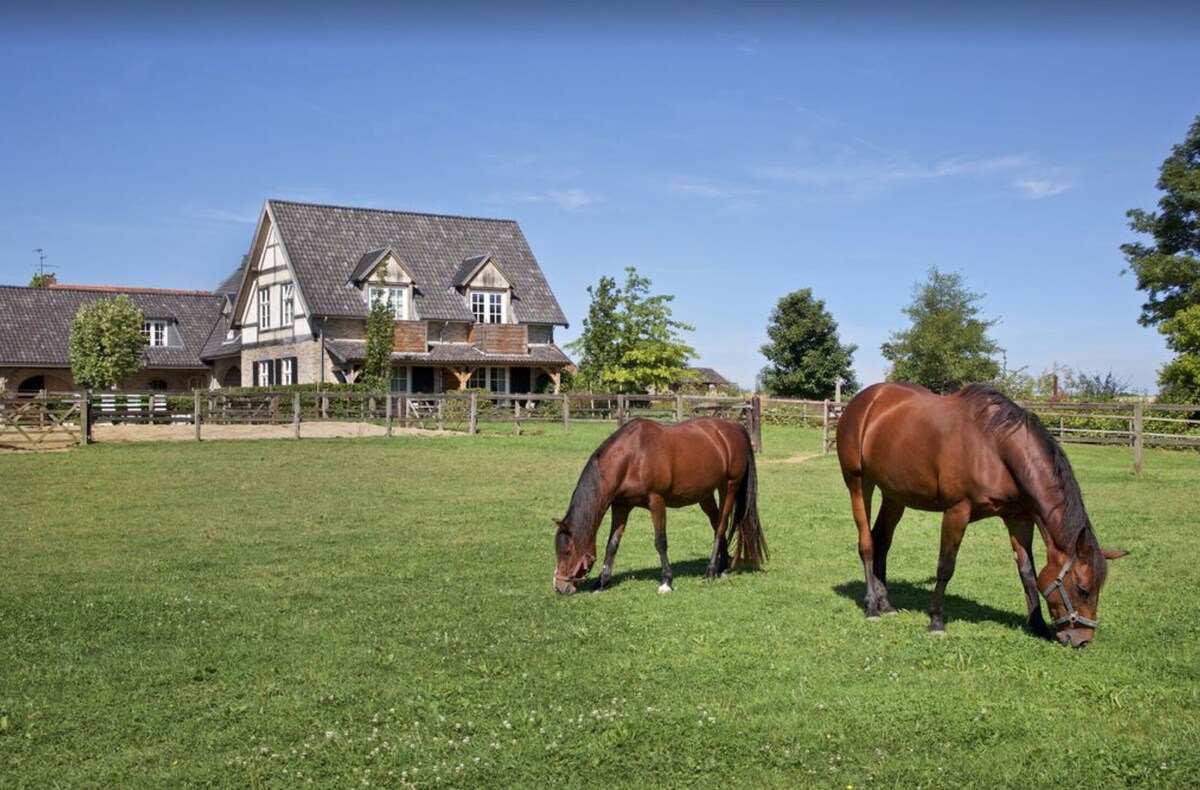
(947, 345)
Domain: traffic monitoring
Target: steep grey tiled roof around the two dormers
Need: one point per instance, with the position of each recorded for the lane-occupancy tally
(326, 244)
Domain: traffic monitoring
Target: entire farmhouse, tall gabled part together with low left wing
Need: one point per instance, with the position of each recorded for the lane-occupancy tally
(471, 304)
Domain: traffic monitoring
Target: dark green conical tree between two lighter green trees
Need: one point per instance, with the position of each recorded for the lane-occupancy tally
(806, 355)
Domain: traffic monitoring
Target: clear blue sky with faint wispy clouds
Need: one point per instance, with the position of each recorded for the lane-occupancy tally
(731, 153)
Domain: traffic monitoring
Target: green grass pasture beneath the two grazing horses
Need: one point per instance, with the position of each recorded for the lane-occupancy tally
(380, 613)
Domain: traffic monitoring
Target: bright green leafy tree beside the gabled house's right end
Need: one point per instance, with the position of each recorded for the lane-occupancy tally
(631, 343)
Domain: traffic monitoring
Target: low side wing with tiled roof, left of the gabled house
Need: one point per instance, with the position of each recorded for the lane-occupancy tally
(35, 328)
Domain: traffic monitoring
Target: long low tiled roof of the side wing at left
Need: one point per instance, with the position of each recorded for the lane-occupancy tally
(35, 324)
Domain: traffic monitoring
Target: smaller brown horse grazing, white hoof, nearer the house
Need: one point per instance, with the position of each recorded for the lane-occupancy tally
(647, 465)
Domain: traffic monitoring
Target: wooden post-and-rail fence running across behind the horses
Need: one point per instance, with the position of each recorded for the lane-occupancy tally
(51, 421)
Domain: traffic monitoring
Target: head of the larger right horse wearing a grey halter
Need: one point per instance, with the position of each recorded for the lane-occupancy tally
(1073, 591)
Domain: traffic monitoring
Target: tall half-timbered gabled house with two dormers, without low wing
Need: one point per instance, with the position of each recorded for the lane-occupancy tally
(472, 307)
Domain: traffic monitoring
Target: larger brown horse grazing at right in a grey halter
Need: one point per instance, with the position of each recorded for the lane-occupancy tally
(971, 456)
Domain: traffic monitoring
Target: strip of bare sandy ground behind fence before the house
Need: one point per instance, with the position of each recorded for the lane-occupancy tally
(110, 434)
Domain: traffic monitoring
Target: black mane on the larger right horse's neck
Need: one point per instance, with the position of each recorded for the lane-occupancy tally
(1009, 418)
